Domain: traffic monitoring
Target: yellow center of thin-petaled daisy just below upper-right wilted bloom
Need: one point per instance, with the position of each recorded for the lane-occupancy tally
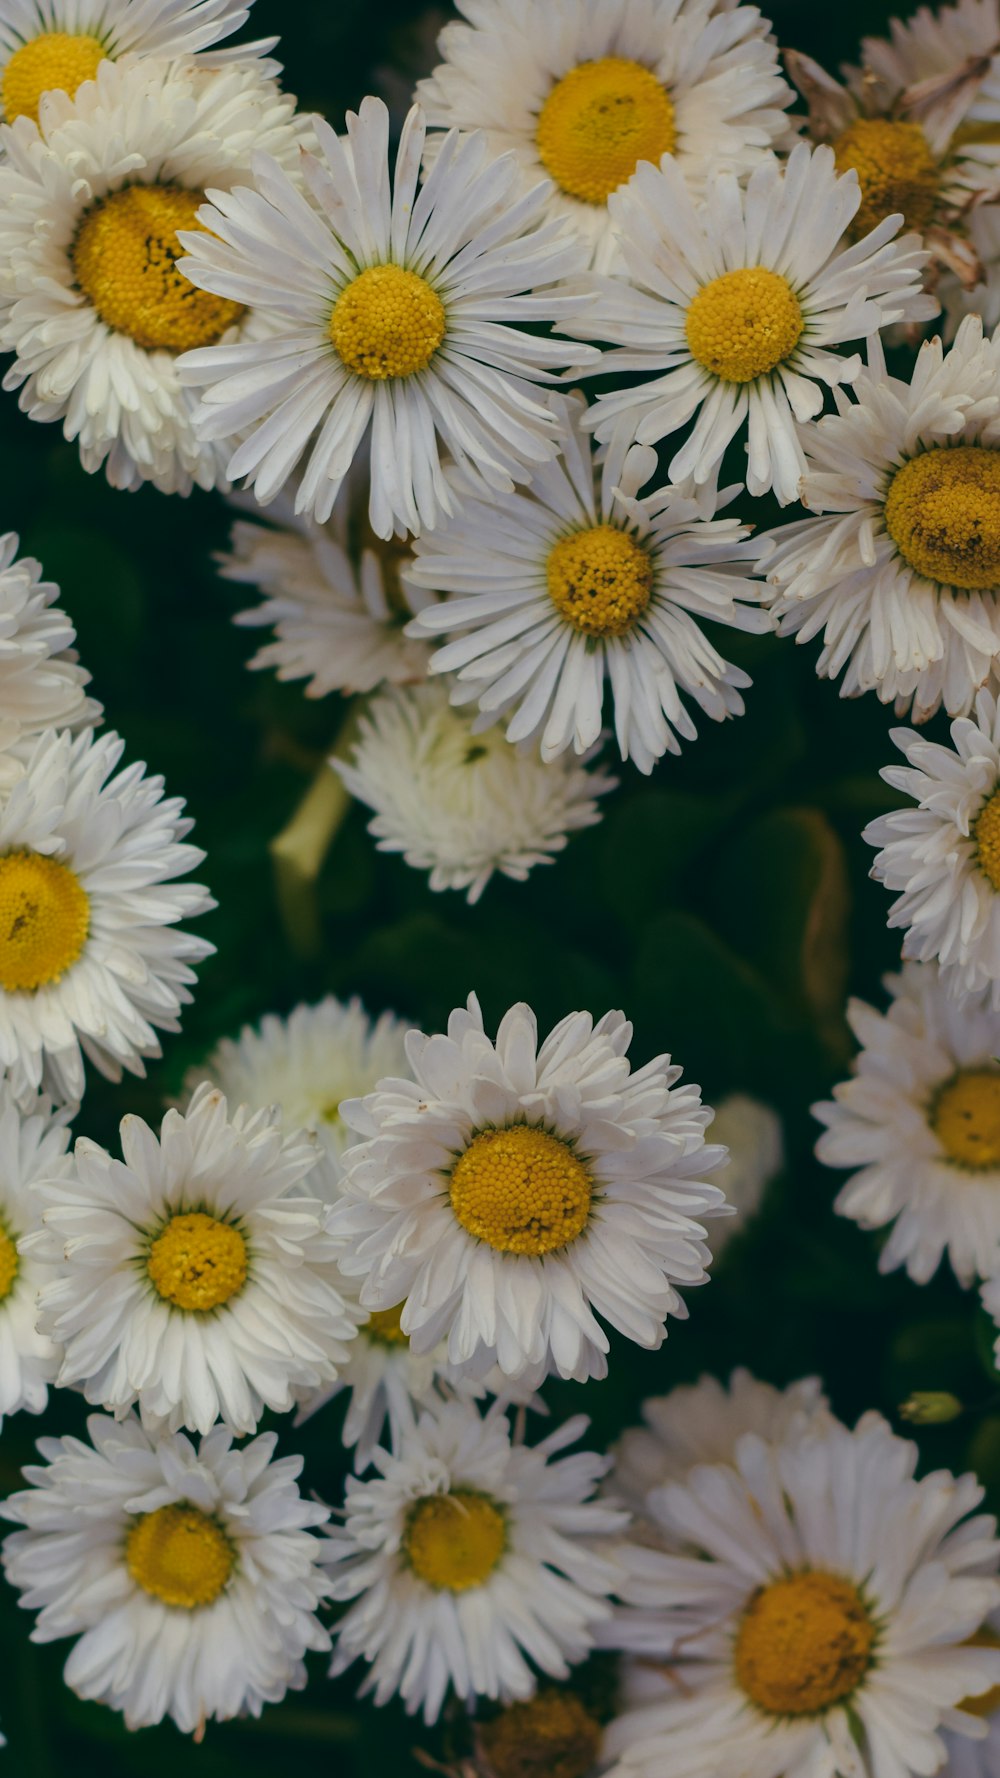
(745, 324)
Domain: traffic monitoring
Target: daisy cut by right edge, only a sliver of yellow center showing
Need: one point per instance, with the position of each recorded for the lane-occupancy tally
(944, 856)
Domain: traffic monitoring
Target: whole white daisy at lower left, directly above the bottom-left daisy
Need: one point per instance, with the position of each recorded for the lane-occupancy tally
(193, 1279)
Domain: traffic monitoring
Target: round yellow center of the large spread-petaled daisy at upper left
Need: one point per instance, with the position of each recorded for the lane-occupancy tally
(387, 323)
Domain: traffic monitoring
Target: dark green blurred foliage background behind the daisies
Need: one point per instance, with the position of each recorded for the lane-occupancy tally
(725, 906)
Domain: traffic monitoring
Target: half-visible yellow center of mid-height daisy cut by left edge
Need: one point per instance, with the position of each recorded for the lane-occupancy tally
(45, 917)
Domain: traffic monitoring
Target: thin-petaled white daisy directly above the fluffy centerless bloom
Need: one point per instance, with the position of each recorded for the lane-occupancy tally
(576, 582)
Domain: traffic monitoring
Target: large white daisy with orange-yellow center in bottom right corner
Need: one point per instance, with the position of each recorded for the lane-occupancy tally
(816, 1606)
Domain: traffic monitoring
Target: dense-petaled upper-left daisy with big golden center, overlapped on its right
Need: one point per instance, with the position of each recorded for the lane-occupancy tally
(92, 298)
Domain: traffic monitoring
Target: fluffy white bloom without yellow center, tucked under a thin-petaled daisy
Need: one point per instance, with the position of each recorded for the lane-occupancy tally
(458, 801)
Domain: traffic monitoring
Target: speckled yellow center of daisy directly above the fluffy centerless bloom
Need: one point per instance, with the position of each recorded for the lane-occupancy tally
(601, 581)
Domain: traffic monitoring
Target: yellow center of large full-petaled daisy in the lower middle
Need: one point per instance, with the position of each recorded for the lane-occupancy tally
(520, 1190)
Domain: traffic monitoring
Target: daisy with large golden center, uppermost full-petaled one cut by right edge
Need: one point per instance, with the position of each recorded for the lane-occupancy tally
(903, 572)
